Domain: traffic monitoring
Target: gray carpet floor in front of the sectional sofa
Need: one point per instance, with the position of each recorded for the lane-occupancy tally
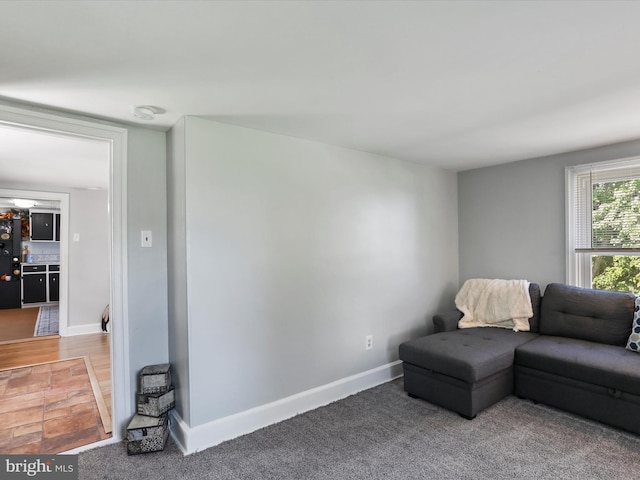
(383, 434)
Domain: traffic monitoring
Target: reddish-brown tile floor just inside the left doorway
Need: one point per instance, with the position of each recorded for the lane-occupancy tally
(48, 408)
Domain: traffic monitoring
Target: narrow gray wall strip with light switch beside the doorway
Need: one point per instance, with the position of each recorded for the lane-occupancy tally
(147, 267)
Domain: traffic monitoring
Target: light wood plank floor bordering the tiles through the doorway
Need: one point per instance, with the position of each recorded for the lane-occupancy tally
(94, 346)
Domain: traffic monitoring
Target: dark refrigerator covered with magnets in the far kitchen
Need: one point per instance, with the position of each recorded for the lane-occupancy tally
(10, 237)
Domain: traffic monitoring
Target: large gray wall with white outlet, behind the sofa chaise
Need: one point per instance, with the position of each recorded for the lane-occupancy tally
(295, 251)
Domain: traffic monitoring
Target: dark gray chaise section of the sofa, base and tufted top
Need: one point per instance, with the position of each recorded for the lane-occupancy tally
(465, 370)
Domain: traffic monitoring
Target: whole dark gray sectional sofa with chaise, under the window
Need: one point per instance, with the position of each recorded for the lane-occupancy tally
(574, 358)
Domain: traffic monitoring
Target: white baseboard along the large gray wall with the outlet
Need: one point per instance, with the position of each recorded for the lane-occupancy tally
(194, 439)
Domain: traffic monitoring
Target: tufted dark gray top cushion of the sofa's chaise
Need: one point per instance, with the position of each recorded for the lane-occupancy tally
(470, 355)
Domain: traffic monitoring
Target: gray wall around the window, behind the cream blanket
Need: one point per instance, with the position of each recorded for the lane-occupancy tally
(512, 216)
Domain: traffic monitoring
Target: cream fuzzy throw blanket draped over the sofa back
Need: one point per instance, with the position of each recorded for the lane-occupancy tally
(495, 303)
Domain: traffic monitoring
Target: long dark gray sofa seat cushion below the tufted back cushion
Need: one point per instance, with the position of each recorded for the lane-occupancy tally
(610, 366)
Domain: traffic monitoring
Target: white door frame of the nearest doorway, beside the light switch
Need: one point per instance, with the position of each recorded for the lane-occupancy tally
(37, 119)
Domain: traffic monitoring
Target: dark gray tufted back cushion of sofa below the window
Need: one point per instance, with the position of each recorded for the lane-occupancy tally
(594, 315)
